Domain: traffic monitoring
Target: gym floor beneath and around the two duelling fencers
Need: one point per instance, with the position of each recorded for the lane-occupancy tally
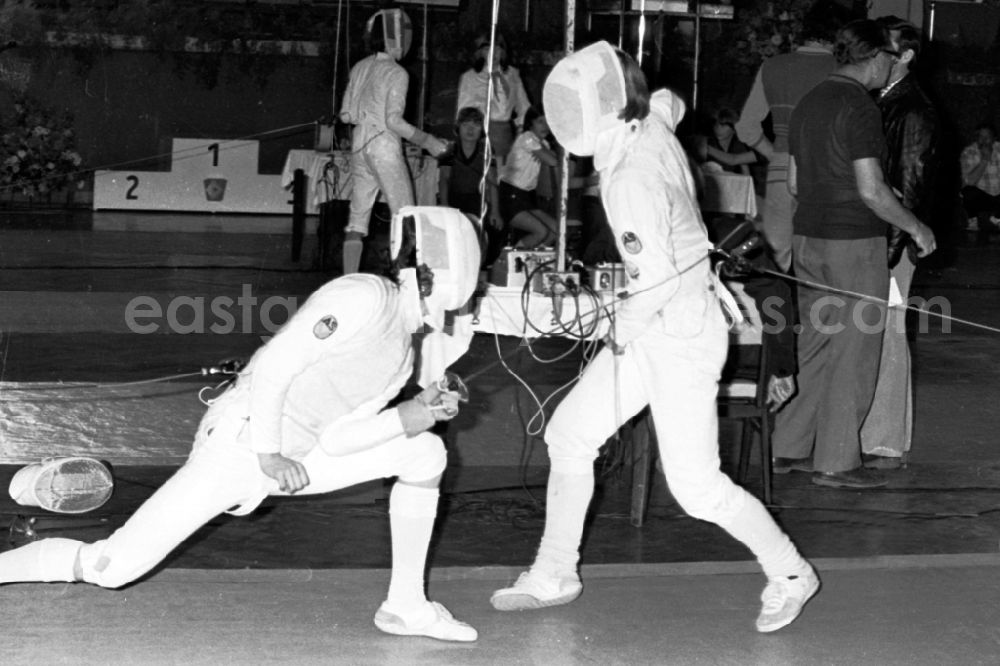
(909, 571)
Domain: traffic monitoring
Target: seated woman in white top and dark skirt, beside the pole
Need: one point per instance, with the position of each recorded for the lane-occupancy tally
(519, 178)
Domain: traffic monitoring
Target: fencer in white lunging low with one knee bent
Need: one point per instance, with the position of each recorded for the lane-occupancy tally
(307, 415)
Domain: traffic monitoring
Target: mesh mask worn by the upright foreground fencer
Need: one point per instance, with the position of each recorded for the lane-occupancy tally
(583, 96)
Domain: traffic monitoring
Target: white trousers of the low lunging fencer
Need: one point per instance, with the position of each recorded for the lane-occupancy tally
(220, 476)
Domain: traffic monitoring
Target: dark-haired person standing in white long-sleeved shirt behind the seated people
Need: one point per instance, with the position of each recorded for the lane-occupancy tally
(509, 102)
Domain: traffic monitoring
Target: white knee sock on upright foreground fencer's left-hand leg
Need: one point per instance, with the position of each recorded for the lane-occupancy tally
(570, 489)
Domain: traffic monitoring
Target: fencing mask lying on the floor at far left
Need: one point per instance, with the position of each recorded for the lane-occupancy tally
(63, 485)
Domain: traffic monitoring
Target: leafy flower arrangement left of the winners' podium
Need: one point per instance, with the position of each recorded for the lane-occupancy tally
(37, 150)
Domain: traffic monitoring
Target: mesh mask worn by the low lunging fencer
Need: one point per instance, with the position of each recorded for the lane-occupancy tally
(448, 245)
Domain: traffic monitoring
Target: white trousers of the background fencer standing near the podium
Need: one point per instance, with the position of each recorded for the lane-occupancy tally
(378, 166)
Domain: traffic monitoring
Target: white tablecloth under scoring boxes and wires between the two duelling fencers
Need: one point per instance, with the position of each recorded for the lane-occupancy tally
(501, 310)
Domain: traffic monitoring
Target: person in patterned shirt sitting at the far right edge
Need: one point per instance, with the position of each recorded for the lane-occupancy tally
(981, 180)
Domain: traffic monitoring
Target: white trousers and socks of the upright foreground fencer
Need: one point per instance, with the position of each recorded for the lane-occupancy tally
(677, 376)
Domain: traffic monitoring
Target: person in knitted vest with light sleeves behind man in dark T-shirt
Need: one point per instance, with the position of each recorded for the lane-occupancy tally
(780, 83)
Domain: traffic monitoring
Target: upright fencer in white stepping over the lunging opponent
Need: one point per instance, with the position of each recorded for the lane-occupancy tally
(668, 342)
